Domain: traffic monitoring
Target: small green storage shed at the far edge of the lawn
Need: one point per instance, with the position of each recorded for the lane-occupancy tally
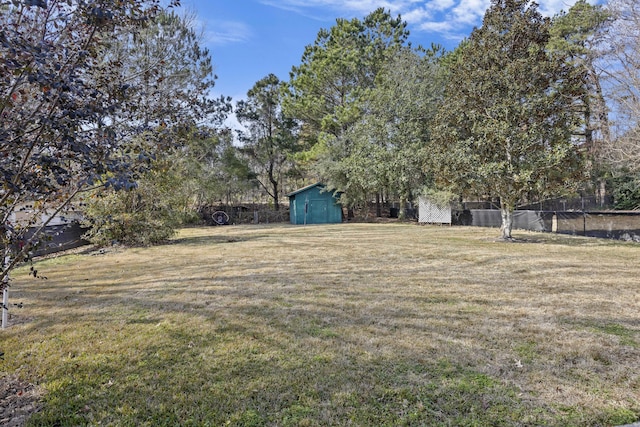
(314, 205)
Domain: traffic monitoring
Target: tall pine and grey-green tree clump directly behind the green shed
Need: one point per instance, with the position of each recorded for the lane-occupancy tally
(339, 93)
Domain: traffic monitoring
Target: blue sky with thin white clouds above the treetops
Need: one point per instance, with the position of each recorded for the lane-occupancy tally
(248, 39)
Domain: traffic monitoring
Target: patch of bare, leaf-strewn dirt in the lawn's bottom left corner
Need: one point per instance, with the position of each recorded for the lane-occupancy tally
(18, 401)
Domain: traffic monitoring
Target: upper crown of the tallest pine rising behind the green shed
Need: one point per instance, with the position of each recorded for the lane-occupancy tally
(338, 69)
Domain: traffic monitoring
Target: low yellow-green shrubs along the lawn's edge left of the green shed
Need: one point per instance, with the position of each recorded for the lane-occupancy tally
(206, 171)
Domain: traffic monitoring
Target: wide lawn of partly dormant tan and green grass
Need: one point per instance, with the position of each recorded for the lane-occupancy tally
(348, 324)
